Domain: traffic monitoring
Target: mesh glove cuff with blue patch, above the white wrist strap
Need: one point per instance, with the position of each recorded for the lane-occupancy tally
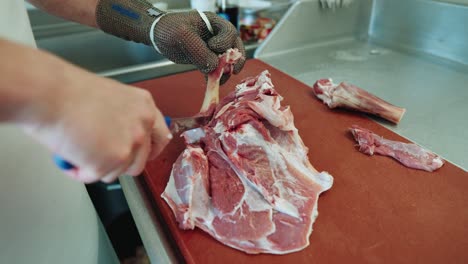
(127, 19)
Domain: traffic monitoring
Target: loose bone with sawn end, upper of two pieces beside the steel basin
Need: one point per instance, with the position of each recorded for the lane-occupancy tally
(352, 97)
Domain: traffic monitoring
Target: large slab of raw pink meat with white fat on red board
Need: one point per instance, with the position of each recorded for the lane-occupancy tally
(245, 177)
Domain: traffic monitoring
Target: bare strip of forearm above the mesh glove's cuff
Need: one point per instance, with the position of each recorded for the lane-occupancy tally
(81, 11)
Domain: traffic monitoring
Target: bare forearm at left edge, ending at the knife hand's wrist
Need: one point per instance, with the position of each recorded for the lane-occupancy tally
(30, 83)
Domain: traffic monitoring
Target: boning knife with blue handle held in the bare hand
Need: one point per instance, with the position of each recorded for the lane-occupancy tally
(176, 125)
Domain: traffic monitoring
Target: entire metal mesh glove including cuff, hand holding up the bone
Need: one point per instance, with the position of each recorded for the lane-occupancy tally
(182, 37)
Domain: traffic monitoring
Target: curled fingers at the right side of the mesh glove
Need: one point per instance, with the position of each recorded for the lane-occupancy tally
(225, 34)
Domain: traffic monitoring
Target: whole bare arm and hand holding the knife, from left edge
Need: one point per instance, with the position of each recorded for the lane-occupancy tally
(103, 127)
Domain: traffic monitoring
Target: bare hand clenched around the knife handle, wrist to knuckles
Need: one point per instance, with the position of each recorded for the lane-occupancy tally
(105, 128)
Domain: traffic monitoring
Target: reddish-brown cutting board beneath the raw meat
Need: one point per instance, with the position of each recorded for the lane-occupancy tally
(377, 211)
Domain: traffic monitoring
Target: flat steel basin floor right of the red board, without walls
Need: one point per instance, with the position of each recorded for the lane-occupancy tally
(435, 96)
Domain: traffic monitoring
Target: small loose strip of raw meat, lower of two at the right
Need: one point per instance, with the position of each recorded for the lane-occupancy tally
(410, 155)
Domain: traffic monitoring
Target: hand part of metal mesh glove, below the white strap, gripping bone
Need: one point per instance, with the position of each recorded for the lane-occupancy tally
(185, 38)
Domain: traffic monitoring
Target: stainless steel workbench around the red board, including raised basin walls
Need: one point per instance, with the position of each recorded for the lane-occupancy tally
(412, 53)
